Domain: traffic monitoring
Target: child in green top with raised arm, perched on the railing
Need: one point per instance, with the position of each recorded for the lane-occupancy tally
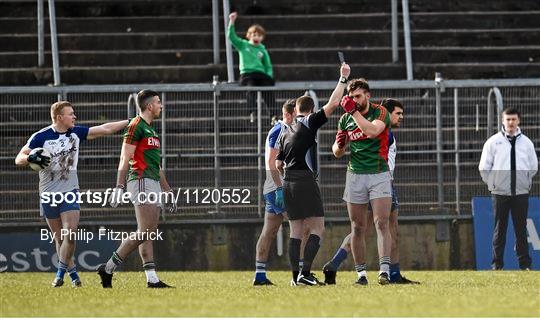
(255, 65)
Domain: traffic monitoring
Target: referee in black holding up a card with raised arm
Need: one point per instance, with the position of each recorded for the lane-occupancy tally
(297, 161)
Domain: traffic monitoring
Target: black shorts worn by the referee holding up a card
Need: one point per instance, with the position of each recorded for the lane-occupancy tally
(302, 199)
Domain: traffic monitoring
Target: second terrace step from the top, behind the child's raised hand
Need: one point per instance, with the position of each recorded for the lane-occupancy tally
(421, 20)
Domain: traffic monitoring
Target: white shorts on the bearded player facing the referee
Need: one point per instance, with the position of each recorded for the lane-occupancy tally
(361, 188)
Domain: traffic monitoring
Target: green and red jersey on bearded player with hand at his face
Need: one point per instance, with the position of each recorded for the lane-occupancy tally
(368, 155)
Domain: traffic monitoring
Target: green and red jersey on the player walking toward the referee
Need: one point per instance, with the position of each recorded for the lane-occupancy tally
(146, 161)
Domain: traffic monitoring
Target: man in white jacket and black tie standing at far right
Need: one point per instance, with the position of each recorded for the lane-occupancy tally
(507, 165)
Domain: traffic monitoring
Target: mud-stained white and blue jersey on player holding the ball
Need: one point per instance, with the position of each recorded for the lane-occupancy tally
(61, 174)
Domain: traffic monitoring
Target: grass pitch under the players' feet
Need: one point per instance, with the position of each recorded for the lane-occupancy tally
(230, 294)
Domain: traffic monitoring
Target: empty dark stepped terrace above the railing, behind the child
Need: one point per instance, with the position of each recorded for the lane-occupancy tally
(122, 41)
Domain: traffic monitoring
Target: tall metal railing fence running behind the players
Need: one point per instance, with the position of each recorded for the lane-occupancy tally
(208, 141)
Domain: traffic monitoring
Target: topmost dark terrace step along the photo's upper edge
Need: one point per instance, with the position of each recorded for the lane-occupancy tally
(81, 8)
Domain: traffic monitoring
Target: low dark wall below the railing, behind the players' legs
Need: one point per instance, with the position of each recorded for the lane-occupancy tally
(424, 245)
